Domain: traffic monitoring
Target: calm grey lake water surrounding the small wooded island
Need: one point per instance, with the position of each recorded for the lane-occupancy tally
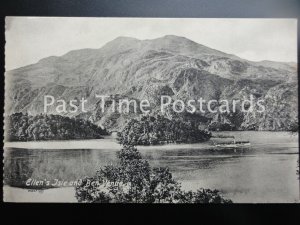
(265, 171)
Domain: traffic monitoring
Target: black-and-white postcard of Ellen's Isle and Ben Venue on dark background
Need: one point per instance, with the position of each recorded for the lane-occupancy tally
(151, 110)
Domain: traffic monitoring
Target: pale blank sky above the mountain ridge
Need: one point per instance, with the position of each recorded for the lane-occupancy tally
(29, 39)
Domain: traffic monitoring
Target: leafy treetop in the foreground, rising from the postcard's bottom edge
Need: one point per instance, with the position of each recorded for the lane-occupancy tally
(134, 181)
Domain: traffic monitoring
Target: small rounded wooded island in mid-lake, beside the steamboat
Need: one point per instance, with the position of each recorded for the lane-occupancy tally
(150, 130)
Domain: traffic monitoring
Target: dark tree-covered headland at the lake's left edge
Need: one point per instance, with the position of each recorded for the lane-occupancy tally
(24, 127)
